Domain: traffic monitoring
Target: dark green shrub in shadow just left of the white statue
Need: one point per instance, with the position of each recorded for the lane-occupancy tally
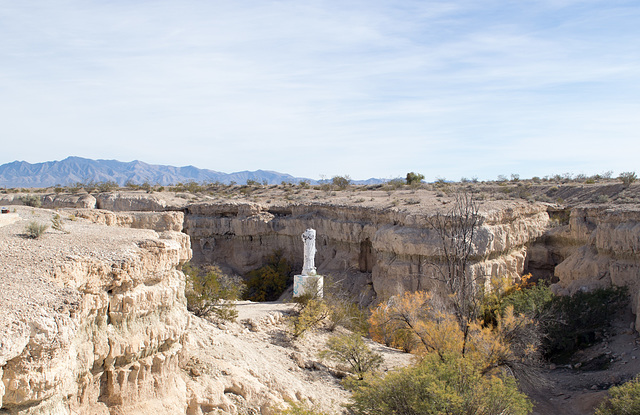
(268, 282)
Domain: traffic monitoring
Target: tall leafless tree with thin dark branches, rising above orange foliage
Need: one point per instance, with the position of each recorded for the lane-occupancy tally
(456, 230)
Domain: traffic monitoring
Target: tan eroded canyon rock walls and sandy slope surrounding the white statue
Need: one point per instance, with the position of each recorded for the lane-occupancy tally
(95, 321)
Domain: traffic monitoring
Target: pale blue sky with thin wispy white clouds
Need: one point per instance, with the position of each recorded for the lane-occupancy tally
(372, 88)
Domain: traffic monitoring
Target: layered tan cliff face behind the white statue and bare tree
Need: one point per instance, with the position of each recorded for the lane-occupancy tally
(386, 251)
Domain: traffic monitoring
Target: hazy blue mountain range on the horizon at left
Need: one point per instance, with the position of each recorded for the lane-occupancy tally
(81, 170)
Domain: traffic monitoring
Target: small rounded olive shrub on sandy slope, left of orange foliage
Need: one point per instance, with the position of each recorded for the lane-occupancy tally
(351, 350)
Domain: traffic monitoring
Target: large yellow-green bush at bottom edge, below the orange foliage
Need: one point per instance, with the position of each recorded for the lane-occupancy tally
(453, 385)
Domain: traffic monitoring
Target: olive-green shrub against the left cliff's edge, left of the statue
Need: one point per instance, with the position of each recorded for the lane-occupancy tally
(210, 292)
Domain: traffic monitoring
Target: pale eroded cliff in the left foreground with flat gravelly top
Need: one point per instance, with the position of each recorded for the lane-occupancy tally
(92, 320)
